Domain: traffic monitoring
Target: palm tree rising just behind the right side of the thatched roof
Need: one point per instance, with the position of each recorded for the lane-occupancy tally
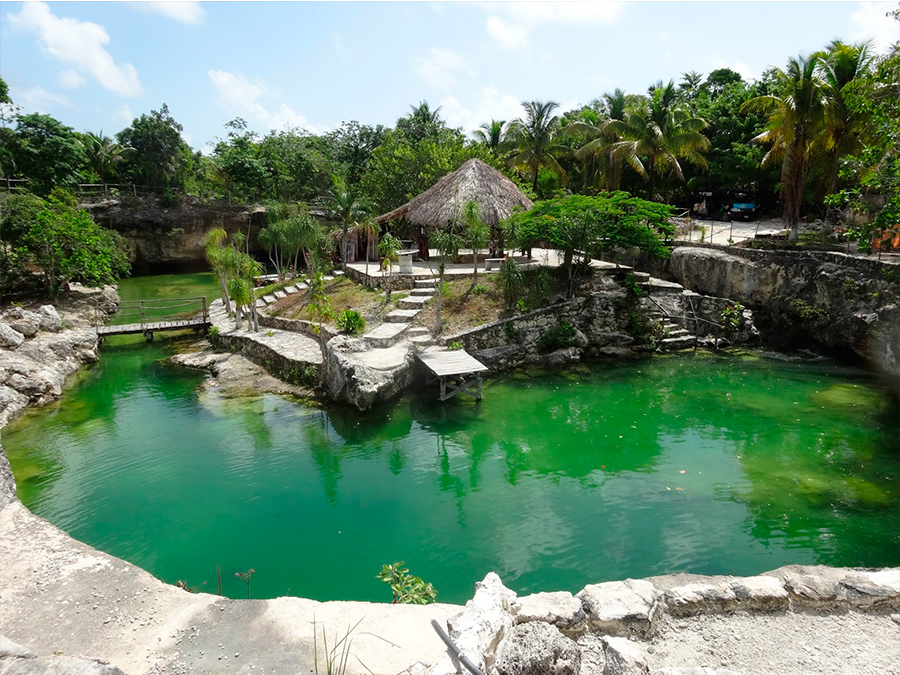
(534, 138)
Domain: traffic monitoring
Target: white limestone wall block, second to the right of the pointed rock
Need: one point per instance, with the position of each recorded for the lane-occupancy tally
(621, 608)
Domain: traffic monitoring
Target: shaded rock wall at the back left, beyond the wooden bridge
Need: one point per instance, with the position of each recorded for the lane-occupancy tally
(173, 236)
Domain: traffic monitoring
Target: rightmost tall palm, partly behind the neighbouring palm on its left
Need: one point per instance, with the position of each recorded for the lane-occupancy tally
(838, 66)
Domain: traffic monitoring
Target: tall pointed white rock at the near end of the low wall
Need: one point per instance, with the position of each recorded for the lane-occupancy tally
(480, 627)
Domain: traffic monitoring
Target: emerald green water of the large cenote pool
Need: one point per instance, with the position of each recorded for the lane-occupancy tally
(614, 469)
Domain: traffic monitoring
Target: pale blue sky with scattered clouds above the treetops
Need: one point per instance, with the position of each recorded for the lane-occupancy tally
(96, 65)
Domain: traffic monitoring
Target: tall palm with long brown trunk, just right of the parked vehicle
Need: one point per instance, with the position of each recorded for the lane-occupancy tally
(796, 119)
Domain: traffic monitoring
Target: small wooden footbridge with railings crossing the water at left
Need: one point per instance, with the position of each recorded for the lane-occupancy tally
(152, 316)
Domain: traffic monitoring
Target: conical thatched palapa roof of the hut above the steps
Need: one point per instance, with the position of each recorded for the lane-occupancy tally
(443, 202)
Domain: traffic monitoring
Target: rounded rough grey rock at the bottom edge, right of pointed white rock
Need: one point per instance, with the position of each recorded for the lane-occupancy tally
(537, 648)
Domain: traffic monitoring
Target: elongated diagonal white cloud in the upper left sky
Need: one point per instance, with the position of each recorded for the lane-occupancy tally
(78, 43)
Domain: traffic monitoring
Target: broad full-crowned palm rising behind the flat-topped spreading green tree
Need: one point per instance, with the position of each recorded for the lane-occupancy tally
(655, 133)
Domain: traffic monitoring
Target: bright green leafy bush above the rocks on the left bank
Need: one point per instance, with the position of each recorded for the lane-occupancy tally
(67, 245)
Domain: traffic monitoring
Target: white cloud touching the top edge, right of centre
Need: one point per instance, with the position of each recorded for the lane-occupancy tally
(511, 23)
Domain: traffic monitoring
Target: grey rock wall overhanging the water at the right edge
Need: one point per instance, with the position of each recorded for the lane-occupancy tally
(842, 302)
